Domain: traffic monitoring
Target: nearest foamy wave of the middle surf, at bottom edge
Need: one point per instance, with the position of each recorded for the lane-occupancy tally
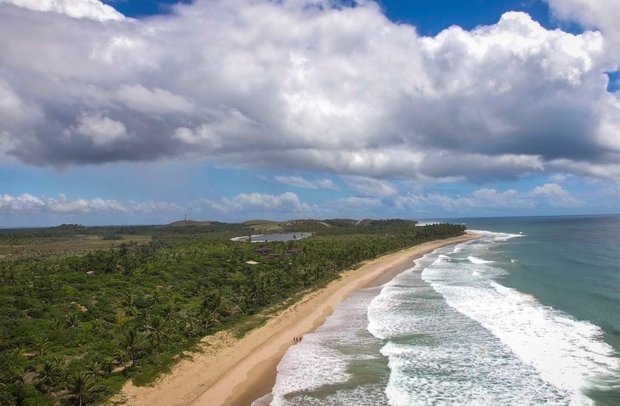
(466, 373)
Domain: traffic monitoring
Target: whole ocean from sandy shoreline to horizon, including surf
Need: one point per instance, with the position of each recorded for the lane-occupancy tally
(529, 314)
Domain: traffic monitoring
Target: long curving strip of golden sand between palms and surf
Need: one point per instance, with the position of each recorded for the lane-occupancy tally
(238, 371)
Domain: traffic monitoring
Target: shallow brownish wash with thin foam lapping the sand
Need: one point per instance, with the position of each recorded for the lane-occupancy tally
(339, 364)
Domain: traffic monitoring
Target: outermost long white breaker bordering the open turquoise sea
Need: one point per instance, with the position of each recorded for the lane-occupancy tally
(566, 353)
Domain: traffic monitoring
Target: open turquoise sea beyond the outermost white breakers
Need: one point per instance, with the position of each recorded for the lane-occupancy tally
(569, 263)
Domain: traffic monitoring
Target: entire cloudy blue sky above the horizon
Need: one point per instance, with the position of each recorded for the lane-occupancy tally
(144, 112)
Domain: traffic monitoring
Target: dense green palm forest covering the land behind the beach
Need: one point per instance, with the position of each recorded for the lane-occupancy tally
(83, 309)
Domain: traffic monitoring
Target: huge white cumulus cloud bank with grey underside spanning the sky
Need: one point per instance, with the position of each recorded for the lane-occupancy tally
(310, 86)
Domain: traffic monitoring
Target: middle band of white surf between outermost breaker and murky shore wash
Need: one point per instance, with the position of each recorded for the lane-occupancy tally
(438, 356)
